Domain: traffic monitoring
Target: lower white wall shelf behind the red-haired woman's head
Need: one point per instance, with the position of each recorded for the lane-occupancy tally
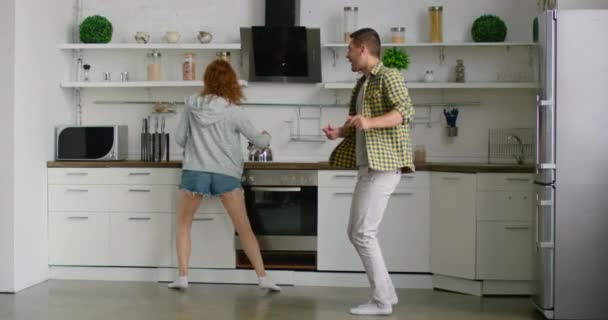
(136, 84)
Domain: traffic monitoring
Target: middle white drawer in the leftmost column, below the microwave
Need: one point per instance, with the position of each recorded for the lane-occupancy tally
(93, 198)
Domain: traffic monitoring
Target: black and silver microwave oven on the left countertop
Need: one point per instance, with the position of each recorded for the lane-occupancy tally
(91, 143)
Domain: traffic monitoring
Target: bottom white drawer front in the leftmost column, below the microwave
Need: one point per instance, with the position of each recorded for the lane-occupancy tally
(78, 239)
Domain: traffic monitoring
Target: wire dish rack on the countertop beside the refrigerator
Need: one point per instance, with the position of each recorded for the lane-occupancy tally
(506, 144)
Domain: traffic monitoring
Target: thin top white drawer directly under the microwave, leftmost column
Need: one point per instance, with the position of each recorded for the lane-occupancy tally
(79, 176)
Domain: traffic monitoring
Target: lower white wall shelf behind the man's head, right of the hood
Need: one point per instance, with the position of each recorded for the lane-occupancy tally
(444, 85)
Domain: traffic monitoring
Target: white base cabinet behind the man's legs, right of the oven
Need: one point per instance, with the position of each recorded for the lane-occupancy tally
(403, 234)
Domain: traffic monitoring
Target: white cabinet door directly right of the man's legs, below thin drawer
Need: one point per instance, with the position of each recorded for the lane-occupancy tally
(405, 231)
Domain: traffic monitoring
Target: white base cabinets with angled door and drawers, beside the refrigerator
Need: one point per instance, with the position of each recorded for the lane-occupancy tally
(481, 235)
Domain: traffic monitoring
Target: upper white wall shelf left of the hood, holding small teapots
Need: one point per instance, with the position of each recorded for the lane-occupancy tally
(150, 46)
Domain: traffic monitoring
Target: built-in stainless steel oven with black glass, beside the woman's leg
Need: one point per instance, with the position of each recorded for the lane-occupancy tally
(282, 208)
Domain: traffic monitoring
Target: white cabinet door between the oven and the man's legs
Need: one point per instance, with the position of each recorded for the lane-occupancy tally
(334, 250)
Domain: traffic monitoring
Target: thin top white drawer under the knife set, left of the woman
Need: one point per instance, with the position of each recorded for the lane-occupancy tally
(146, 176)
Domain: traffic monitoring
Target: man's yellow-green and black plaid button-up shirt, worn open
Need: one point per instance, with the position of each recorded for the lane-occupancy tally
(387, 148)
